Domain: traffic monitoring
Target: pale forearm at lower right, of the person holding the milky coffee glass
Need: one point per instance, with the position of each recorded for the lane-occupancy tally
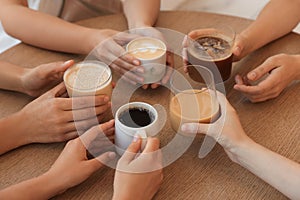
(280, 172)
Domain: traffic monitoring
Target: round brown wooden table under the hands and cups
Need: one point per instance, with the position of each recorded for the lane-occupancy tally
(274, 124)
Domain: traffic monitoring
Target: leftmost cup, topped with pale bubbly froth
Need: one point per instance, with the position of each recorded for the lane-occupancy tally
(88, 78)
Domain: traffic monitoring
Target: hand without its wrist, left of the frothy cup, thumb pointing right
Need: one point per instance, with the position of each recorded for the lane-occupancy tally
(40, 79)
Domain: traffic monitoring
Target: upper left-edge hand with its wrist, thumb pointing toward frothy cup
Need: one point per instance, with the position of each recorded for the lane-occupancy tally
(32, 81)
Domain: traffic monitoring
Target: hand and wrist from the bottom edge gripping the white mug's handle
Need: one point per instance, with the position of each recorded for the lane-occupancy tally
(139, 176)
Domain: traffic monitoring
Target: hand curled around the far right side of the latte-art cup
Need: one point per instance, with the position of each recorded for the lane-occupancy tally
(155, 33)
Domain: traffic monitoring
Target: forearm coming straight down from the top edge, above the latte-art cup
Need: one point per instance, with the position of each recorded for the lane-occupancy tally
(141, 13)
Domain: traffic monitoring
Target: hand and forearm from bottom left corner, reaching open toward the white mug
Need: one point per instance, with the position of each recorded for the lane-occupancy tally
(71, 168)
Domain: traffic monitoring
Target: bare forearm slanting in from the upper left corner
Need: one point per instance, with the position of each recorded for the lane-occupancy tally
(44, 31)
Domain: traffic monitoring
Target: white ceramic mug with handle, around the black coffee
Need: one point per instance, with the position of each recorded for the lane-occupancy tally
(125, 134)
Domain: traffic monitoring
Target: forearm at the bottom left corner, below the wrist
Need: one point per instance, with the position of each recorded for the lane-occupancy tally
(42, 187)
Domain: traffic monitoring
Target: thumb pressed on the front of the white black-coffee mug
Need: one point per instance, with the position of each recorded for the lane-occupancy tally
(132, 150)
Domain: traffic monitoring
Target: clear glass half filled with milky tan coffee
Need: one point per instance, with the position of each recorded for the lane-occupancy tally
(192, 101)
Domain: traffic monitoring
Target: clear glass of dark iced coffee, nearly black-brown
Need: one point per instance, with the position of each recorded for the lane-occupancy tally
(212, 48)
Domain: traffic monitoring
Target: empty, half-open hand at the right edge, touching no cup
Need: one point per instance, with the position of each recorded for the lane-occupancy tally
(280, 70)
